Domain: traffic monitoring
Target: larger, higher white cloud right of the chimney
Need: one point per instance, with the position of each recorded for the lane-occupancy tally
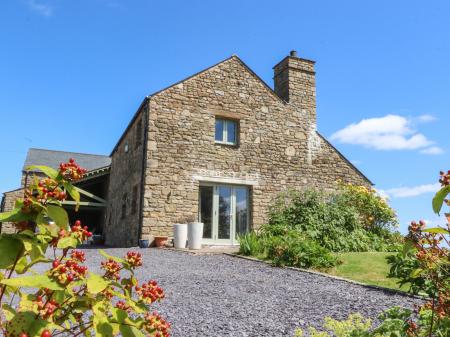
(391, 132)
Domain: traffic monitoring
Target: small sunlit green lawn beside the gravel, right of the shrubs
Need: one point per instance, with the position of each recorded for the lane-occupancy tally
(367, 267)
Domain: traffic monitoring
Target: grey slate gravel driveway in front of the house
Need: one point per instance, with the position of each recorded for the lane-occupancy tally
(219, 295)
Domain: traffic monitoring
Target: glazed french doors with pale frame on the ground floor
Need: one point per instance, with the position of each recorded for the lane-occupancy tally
(224, 211)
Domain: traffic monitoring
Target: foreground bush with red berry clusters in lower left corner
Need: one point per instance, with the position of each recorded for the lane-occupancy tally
(67, 299)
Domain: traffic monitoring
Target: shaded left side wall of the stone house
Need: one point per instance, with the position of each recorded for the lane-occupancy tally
(125, 185)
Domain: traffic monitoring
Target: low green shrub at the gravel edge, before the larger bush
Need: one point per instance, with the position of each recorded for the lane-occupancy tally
(294, 250)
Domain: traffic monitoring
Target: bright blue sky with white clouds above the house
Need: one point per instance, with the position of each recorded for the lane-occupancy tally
(72, 73)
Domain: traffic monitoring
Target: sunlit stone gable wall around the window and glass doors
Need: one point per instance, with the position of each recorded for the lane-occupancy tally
(278, 148)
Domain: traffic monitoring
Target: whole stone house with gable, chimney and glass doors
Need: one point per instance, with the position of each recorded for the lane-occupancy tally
(218, 147)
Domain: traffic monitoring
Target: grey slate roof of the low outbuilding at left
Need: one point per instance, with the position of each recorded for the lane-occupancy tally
(53, 158)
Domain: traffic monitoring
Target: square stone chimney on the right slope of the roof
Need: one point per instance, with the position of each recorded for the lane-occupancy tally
(295, 82)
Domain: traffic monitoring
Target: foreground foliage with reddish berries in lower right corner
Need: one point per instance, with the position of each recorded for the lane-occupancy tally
(424, 263)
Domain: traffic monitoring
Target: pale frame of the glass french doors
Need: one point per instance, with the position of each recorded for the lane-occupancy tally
(215, 213)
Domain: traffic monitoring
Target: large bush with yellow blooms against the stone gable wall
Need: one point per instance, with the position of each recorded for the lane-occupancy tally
(332, 220)
